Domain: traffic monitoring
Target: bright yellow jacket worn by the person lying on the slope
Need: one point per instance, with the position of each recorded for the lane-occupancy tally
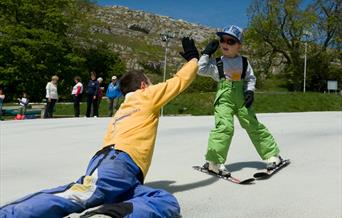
(133, 128)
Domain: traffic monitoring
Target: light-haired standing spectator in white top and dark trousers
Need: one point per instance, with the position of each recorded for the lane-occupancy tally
(51, 96)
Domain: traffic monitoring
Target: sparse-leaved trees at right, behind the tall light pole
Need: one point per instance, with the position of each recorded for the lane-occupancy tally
(278, 31)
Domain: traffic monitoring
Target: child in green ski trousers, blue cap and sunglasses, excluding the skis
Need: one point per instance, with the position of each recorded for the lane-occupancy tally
(235, 95)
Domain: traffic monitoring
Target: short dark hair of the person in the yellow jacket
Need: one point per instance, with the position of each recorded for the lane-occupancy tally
(131, 81)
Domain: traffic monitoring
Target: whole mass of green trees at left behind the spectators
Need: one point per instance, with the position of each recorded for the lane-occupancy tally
(42, 38)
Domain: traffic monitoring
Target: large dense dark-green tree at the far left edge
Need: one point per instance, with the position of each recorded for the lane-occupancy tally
(32, 43)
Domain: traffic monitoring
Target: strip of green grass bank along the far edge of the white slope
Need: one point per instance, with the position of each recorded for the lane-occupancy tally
(202, 104)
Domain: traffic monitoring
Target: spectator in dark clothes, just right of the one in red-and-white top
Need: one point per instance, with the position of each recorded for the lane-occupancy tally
(92, 95)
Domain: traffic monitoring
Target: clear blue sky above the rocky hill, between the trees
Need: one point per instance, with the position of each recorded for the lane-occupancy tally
(217, 14)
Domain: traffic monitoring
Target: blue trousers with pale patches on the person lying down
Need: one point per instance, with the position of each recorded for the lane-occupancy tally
(111, 177)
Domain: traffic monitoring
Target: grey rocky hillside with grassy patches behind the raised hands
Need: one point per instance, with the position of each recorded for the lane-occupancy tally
(137, 36)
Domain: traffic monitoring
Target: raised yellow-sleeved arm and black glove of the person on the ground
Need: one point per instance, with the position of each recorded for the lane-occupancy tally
(162, 93)
